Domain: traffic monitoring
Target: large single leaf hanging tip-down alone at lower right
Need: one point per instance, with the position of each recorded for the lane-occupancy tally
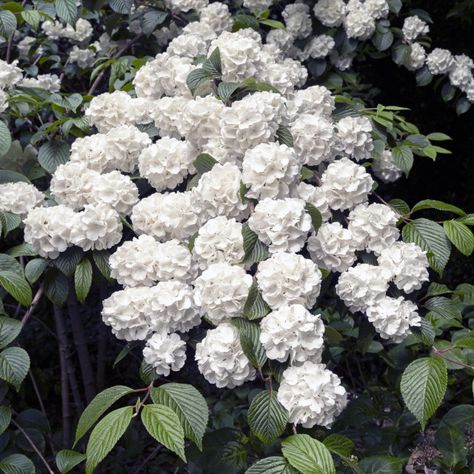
(423, 386)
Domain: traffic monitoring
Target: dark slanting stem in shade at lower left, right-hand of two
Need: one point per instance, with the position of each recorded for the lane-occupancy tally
(81, 346)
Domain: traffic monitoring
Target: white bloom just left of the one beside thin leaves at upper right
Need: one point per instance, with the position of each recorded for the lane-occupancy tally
(313, 139)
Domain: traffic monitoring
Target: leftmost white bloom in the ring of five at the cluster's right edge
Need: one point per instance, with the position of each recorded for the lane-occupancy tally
(333, 247)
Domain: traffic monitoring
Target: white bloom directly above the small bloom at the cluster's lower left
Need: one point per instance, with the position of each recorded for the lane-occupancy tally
(171, 307)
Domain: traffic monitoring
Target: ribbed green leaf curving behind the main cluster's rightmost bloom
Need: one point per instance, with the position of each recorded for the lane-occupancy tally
(431, 237)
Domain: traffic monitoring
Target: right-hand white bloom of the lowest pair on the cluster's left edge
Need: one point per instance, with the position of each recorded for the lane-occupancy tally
(98, 228)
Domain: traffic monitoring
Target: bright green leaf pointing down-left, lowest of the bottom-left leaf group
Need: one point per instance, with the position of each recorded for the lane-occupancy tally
(106, 435)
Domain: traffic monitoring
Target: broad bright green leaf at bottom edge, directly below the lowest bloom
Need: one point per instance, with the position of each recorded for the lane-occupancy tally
(308, 455)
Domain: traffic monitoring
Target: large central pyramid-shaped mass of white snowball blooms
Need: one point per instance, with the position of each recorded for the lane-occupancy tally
(248, 222)
